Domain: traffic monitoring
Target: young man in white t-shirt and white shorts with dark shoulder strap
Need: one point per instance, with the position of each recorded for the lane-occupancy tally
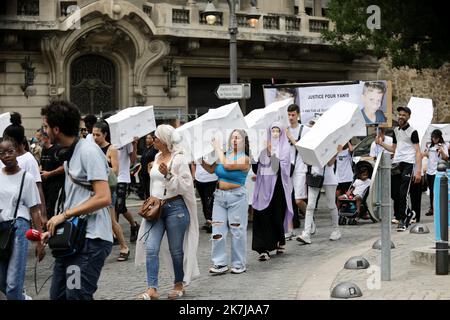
(294, 133)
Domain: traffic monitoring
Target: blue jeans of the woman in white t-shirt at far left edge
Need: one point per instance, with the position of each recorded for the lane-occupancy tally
(12, 271)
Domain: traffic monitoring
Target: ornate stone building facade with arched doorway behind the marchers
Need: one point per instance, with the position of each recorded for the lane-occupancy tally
(109, 54)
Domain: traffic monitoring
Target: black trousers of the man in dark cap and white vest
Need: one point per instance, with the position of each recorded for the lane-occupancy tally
(399, 189)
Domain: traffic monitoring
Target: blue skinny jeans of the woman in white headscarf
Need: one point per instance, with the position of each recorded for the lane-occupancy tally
(174, 219)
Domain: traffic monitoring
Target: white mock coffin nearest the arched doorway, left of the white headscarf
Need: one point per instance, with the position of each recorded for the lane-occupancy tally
(129, 123)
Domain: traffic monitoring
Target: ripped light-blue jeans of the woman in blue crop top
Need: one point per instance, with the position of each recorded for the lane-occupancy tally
(230, 214)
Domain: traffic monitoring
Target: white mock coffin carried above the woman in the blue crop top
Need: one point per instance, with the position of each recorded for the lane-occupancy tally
(217, 123)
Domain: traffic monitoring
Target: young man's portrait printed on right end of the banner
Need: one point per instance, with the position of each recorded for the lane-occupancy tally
(372, 98)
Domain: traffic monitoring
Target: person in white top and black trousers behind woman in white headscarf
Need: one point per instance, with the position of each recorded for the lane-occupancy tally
(127, 155)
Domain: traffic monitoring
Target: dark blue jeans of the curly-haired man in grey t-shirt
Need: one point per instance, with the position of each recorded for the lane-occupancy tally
(75, 277)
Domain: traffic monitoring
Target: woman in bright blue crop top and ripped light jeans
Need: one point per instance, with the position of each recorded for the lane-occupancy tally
(230, 203)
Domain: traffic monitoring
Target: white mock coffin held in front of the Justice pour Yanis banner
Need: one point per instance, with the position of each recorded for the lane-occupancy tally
(336, 126)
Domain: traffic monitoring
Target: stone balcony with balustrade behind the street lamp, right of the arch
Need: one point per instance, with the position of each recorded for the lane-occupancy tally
(187, 21)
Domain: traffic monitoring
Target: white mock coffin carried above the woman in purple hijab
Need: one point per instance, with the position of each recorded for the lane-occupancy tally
(260, 120)
